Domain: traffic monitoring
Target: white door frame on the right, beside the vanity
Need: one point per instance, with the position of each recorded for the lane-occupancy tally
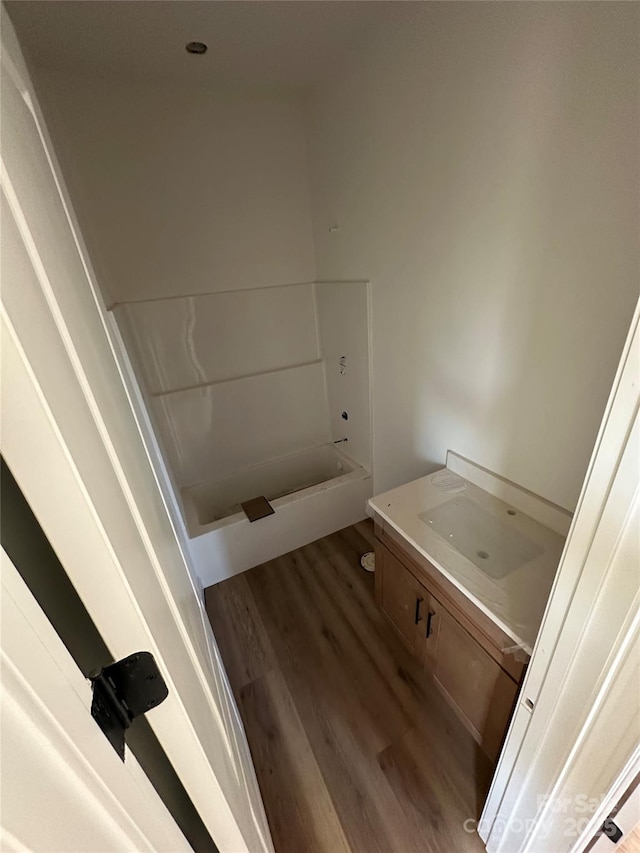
(587, 585)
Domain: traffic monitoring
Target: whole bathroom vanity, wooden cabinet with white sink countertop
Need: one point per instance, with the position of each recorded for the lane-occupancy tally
(465, 562)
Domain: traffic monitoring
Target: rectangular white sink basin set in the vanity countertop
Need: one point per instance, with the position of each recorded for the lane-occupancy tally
(490, 542)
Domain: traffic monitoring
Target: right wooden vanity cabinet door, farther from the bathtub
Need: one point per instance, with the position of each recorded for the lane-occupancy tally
(479, 689)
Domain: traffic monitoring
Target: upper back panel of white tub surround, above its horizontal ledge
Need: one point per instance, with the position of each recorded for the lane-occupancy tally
(196, 340)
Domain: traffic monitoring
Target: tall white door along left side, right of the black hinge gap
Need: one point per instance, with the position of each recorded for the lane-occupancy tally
(73, 444)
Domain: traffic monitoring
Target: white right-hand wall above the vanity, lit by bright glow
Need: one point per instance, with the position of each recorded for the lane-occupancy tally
(481, 162)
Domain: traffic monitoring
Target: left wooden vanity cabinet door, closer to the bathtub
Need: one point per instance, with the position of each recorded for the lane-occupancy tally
(402, 599)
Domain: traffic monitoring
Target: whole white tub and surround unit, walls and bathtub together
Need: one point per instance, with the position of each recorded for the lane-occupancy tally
(248, 392)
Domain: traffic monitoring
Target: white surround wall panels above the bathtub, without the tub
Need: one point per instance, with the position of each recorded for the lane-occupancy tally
(238, 378)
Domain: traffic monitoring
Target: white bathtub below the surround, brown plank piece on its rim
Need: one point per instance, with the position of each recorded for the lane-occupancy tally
(313, 492)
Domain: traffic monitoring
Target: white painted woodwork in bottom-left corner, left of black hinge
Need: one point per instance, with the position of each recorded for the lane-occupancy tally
(63, 787)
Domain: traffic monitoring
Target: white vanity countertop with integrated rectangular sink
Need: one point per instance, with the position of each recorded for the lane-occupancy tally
(515, 602)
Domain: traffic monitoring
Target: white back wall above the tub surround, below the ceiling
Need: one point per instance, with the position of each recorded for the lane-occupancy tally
(180, 189)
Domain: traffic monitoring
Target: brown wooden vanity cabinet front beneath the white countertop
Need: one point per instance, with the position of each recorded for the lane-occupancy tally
(454, 641)
